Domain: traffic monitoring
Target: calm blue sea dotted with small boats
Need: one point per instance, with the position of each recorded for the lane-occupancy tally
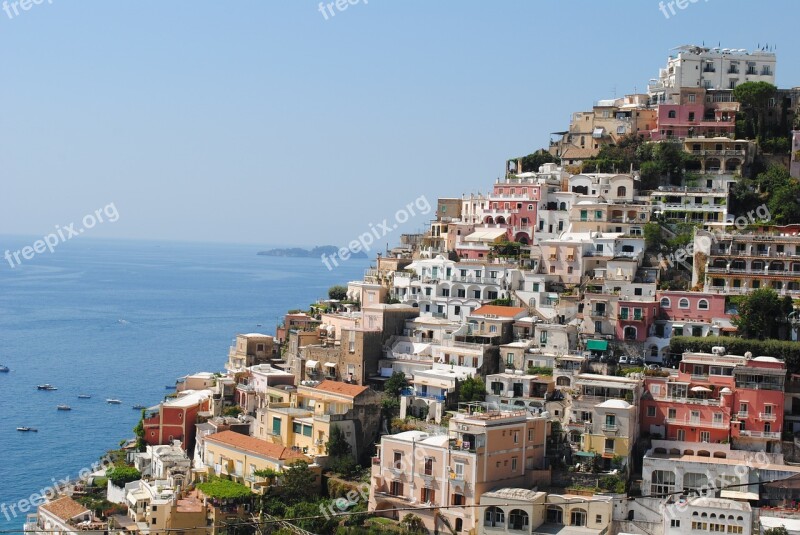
(123, 319)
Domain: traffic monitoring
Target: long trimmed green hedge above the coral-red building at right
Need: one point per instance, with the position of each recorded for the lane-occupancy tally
(780, 349)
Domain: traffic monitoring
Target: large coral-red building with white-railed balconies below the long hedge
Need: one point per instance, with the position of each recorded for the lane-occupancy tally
(718, 398)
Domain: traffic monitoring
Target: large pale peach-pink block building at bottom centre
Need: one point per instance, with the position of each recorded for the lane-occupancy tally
(483, 450)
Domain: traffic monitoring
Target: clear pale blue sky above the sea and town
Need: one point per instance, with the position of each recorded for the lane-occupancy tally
(272, 122)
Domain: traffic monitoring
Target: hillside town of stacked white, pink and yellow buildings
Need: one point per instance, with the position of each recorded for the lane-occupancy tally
(606, 341)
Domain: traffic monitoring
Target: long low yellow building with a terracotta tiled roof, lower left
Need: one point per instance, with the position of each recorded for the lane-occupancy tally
(238, 457)
